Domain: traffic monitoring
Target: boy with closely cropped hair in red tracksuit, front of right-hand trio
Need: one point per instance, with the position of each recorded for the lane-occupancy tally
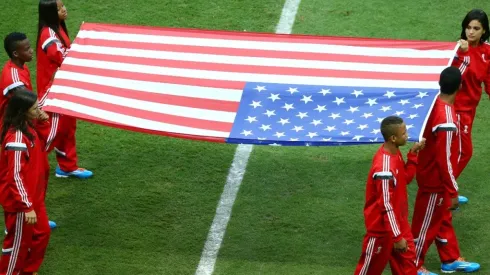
(388, 237)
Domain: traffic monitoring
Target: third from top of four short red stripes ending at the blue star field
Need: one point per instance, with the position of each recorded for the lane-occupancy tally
(149, 115)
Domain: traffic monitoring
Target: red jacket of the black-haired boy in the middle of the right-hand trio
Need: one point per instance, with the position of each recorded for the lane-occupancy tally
(435, 169)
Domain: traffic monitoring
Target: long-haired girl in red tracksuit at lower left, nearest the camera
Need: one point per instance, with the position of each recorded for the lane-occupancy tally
(22, 185)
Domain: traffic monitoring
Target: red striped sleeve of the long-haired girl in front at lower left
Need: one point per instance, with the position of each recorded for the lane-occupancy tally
(17, 157)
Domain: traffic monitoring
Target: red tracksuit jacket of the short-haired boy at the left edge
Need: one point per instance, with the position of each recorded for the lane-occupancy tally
(13, 77)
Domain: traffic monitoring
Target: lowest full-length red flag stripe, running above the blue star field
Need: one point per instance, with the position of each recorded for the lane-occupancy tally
(255, 69)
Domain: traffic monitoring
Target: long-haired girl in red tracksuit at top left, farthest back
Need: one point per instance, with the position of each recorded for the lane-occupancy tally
(52, 46)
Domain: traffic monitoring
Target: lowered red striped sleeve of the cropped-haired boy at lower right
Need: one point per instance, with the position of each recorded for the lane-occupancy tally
(385, 185)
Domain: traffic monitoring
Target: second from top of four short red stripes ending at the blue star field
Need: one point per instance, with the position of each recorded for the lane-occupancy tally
(200, 103)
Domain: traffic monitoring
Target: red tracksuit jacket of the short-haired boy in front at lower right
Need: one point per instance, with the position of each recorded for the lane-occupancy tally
(386, 207)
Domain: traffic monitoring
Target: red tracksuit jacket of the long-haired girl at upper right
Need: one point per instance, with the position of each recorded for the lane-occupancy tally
(475, 67)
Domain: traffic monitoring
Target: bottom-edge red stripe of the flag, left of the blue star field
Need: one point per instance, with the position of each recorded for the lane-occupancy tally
(108, 123)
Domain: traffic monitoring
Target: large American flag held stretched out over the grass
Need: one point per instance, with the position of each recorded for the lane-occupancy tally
(247, 87)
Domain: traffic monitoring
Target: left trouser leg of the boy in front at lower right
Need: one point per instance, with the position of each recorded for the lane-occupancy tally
(375, 255)
